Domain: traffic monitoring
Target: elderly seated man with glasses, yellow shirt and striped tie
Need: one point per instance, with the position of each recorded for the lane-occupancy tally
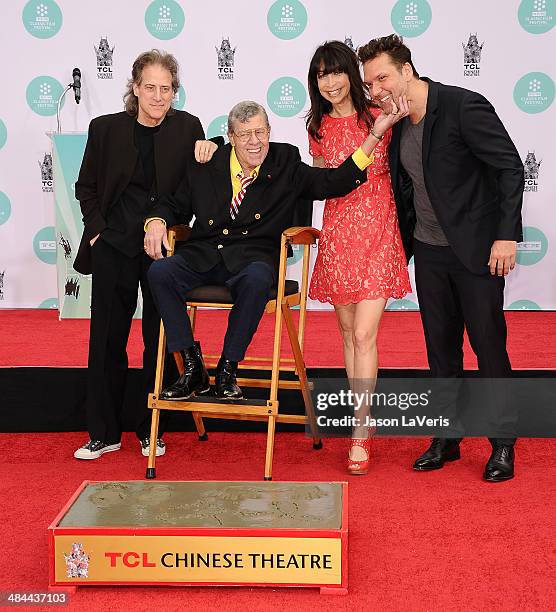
(242, 200)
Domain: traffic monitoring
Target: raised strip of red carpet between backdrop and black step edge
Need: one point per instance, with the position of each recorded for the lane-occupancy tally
(38, 338)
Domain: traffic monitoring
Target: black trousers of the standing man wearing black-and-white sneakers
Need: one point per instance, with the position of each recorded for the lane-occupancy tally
(116, 279)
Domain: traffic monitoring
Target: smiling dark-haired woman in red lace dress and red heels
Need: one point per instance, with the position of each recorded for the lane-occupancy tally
(360, 261)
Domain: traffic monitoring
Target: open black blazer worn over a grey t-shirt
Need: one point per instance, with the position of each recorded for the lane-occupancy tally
(473, 175)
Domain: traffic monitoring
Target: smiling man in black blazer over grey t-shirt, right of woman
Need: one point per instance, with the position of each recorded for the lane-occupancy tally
(458, 182)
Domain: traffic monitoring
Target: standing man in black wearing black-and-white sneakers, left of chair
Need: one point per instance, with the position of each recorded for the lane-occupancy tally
(130, 159)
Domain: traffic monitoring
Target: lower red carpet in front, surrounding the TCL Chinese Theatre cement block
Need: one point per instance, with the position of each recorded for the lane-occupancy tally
(438, 541)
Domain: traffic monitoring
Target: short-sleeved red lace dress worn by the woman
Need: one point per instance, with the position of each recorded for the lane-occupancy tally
(360, 254)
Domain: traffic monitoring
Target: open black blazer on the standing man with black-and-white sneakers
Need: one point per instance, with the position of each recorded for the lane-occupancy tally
(109, 161)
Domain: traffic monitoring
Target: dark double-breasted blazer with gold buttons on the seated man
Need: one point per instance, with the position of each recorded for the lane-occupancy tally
(267, 209)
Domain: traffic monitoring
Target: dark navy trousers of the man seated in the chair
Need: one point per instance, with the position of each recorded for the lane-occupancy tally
(171, 278)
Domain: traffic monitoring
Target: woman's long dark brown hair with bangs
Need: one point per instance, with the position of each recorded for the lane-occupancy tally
(330, 57)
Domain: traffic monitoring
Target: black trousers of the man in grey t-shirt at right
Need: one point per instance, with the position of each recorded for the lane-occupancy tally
(451, 298)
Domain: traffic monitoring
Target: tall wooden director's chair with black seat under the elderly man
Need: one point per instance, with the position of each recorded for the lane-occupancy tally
(286, 295)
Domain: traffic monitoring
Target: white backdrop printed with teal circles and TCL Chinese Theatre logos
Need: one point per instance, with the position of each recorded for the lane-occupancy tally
(501, 48)
